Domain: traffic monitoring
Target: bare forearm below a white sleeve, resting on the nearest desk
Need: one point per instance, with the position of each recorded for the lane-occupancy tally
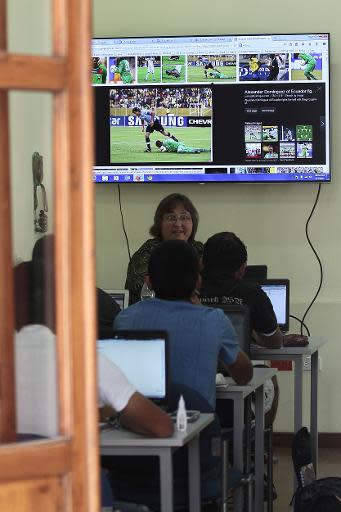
(142, 416)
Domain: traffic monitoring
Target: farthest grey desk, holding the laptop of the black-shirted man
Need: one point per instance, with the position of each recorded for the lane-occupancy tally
(297, 354)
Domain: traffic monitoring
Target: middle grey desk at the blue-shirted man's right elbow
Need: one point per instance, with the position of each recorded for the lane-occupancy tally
(238, 394)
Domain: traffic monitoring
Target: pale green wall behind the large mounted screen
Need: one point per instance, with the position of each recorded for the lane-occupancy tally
(269, 218)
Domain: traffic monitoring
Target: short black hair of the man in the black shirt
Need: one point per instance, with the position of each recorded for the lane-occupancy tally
(224, 252)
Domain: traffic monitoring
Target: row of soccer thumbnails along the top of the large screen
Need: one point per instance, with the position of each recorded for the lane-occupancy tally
(207, 68)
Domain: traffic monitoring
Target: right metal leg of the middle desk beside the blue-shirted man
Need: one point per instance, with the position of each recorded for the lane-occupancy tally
(259, 450)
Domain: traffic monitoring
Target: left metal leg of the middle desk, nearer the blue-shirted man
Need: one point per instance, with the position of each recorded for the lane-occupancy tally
(238, 434)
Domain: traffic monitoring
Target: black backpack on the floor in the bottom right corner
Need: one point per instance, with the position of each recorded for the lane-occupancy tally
(312, 495)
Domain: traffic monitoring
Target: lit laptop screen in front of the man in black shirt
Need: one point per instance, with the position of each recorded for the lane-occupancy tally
(278, 292)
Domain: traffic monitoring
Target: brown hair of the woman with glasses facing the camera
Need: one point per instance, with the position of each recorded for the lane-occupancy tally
(167, 205)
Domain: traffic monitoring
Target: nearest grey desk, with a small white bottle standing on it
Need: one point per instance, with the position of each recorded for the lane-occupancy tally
(124, 442)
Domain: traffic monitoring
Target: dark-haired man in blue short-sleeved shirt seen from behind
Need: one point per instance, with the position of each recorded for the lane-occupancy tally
(198, 336)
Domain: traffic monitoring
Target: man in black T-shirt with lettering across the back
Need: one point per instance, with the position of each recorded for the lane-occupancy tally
(225, 261)
